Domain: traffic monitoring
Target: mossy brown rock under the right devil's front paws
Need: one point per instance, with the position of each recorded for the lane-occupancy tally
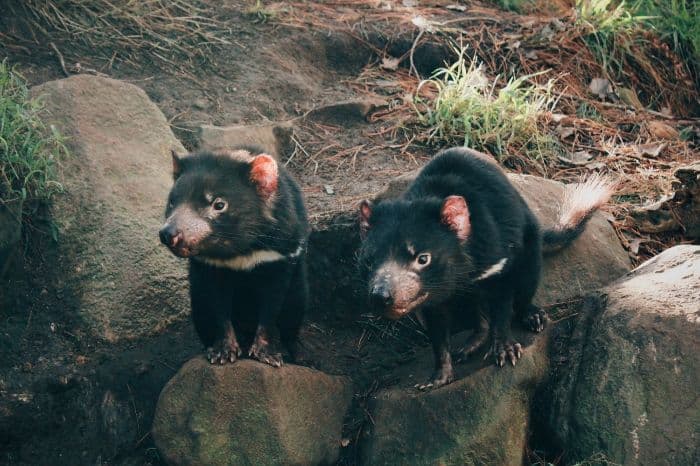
(480, 419)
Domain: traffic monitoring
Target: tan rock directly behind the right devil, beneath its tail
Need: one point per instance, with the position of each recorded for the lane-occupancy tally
(595, 259)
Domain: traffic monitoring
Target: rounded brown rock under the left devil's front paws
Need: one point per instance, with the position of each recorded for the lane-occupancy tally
(249, 413)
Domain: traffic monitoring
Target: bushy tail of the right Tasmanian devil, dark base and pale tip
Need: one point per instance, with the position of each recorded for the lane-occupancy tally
(580, 202)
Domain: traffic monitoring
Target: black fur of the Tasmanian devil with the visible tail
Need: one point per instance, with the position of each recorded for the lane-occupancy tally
(502, 227)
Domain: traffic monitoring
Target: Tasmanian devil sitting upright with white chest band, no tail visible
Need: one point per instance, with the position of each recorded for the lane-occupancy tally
(240, 219)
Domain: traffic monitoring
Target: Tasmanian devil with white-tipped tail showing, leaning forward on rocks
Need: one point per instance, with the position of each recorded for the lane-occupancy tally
(461, 245)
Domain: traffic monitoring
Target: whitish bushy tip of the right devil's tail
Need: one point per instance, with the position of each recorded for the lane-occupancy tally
(582, 199)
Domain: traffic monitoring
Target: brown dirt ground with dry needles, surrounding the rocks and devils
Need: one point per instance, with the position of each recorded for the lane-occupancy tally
(277, 68)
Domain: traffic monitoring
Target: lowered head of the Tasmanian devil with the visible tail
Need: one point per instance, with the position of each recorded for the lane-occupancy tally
(412, 252)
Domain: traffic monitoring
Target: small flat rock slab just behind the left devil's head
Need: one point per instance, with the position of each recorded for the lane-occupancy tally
(274, 138)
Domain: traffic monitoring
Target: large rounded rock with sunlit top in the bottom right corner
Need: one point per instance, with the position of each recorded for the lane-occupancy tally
(629, 385)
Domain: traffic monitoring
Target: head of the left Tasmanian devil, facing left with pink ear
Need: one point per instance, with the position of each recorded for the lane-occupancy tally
(218, 202)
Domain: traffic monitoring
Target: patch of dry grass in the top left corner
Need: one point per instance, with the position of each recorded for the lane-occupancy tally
(177, 33)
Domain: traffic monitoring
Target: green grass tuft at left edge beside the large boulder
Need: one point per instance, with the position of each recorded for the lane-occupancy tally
(28, 150)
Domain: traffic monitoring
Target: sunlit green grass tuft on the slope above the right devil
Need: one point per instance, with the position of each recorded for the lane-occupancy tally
(468, 109)
